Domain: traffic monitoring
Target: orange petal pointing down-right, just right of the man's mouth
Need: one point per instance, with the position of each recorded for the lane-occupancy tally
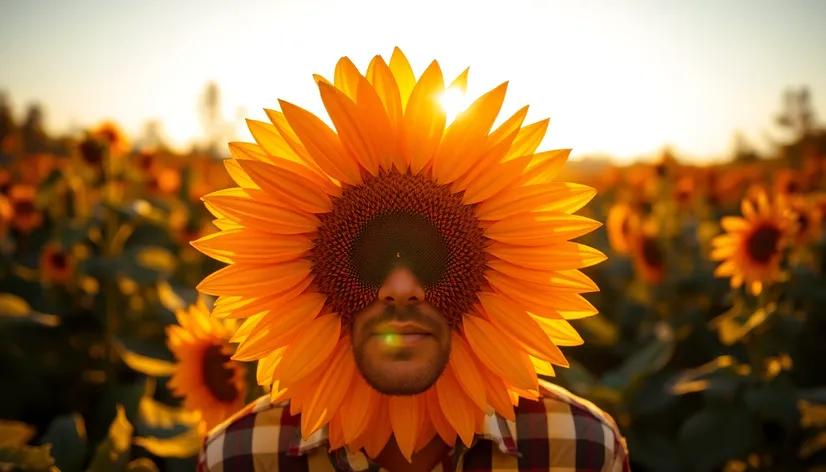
(496, 351)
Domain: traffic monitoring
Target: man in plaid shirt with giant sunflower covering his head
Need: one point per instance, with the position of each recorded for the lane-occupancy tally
(404, 281)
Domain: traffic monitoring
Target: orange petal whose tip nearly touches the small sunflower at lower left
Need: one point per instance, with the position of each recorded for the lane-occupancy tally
(277, 329)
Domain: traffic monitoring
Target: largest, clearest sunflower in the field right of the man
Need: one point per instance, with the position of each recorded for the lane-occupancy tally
(752, 248)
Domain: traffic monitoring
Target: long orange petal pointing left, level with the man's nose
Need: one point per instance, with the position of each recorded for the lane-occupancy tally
(255, 280)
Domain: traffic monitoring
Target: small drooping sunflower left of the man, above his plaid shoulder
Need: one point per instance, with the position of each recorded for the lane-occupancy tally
(208, 380)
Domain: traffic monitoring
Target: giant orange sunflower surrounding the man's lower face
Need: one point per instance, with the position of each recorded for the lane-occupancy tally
(319, 213)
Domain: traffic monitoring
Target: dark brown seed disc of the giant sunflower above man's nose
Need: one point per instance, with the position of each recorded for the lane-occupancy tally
(399, 219)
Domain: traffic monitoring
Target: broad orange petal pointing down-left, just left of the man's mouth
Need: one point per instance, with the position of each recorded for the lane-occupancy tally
(312, 347)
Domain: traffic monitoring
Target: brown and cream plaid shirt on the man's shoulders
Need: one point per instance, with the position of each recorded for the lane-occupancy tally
(559, 433)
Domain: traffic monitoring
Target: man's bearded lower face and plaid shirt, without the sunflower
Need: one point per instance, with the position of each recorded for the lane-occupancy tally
(558, 432)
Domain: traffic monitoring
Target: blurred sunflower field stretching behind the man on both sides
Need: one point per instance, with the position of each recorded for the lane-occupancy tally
(708, 348)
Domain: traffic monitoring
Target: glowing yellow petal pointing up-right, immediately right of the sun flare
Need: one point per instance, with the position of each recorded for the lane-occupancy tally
(465, 139)
